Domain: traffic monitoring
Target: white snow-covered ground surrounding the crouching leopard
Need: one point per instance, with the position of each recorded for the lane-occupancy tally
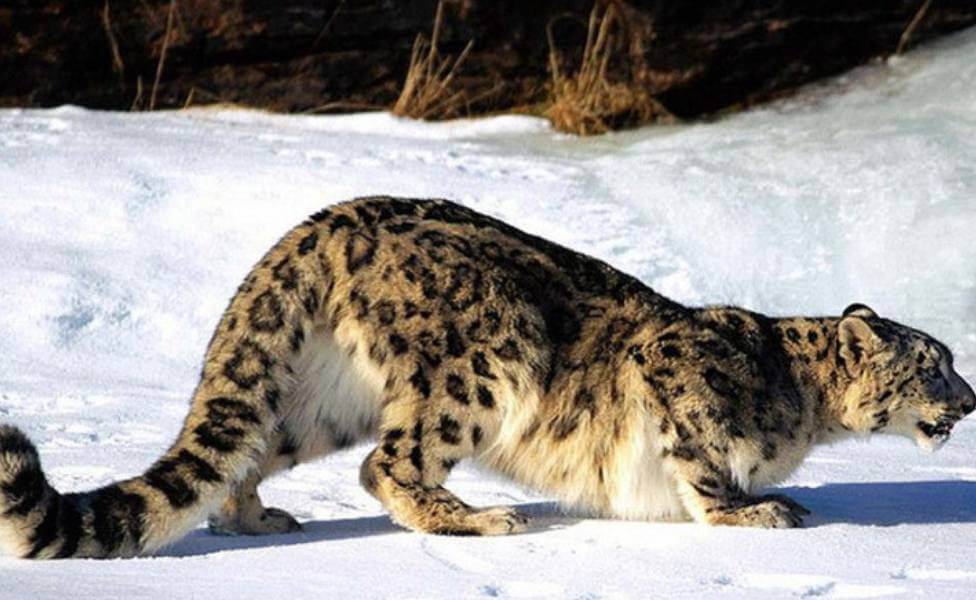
(123, 235)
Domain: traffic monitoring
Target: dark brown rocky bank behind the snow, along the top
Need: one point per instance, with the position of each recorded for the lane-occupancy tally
(692, 58)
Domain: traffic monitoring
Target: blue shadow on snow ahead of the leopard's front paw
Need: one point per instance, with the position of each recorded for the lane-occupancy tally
(888, 503)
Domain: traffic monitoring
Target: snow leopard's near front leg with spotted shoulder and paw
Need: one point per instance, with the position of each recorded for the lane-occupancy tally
(714, 413)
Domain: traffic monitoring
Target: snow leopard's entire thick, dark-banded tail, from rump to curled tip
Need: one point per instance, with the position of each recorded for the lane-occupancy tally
(232, 417)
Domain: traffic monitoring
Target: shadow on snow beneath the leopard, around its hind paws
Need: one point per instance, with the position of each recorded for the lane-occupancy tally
(545, 515)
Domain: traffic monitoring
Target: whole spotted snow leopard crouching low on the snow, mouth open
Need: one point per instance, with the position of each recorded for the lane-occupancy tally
(444, 334)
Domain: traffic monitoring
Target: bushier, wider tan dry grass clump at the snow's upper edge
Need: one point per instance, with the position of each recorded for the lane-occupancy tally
(588, 102)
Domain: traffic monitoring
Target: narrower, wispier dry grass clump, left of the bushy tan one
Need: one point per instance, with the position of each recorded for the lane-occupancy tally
(427, 91)
